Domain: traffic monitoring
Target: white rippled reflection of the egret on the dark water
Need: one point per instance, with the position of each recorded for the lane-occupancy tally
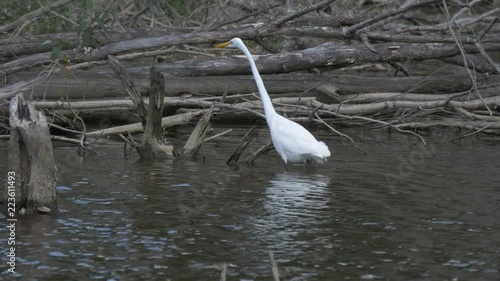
(295, 204)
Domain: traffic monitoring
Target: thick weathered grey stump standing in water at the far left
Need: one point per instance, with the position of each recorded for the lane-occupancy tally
(31, 158)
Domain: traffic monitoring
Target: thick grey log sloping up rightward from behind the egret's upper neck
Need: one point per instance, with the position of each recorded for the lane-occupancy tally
(326, 55)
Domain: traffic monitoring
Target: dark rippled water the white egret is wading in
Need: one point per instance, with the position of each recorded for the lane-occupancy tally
(400, 212)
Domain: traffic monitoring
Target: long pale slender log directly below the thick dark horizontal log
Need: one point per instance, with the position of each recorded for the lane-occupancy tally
(355, 105)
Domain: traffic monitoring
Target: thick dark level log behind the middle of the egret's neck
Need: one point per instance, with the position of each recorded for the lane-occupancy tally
(85, 85)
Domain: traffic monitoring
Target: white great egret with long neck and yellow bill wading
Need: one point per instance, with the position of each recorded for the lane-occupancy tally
(292, 141)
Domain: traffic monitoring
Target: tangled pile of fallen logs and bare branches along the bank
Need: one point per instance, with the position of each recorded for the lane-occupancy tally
(400, 64)
